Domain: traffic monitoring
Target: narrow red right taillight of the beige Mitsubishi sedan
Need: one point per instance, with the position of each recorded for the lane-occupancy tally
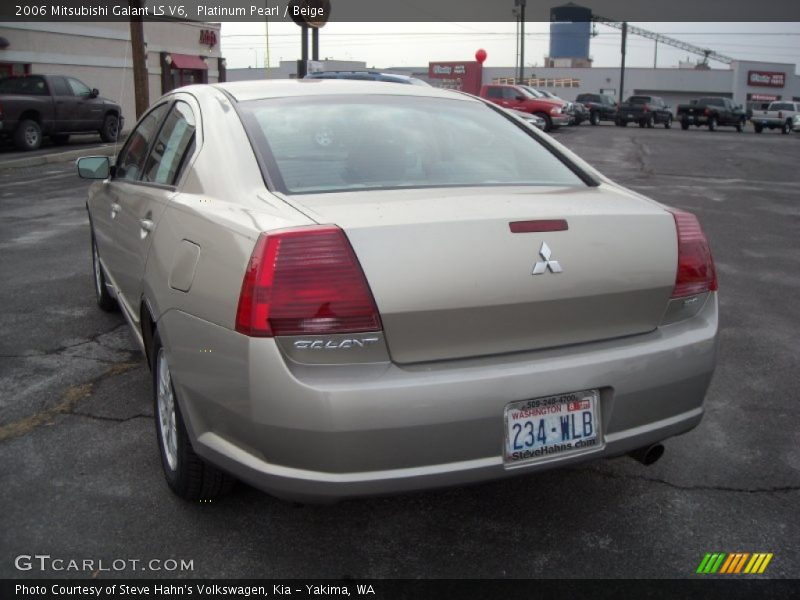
(696, 273)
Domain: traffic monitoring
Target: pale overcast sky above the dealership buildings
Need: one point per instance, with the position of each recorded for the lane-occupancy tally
(385, 45)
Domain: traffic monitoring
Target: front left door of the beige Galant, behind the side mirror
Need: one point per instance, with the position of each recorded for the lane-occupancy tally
(107, 204)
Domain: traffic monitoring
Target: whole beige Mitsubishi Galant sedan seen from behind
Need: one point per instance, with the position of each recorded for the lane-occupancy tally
(350, 288)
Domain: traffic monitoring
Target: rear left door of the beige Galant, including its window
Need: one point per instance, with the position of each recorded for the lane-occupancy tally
(145, 199)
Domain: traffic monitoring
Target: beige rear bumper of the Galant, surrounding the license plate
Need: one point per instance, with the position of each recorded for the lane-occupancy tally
(322, 433)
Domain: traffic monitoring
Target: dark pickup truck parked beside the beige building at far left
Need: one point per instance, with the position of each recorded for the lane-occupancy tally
(33, 106)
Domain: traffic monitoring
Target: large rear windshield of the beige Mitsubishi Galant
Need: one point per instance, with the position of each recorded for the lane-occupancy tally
(336, 143)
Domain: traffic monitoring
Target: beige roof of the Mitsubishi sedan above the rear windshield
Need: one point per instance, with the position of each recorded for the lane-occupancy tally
(242, 91)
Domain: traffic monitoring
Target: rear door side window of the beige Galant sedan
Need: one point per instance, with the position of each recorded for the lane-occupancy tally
(171, 149)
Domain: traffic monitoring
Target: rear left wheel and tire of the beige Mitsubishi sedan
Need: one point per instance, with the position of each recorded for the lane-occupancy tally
(188, 475)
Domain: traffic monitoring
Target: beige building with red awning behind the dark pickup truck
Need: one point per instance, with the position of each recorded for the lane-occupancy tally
(99, 54)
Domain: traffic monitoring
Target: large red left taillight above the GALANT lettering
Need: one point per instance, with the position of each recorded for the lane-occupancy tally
(305, 281)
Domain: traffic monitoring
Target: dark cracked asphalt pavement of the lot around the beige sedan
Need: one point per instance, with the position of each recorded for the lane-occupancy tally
(80, 475)
